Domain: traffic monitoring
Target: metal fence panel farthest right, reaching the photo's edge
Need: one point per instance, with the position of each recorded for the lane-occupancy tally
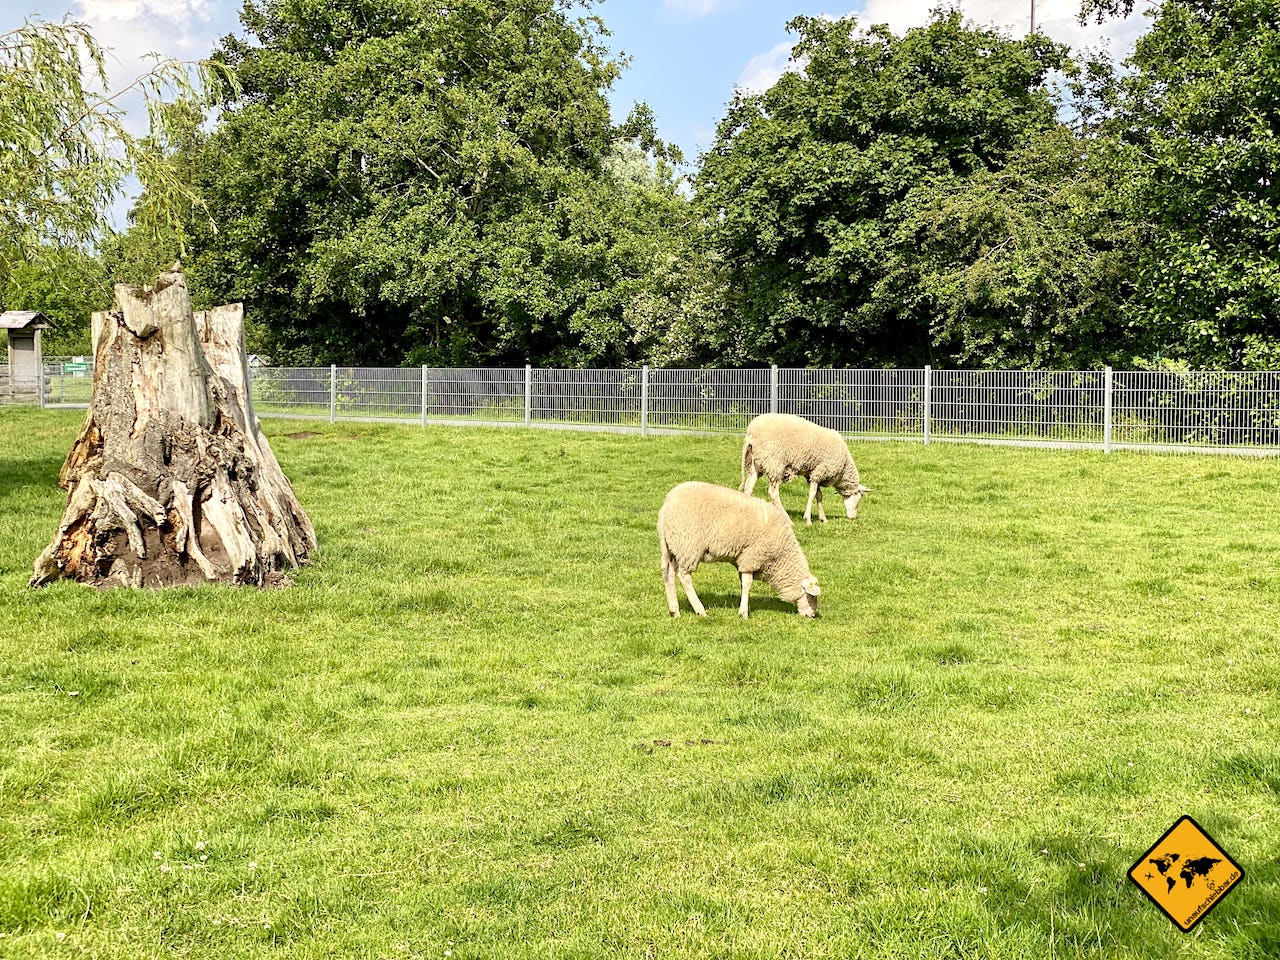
(1199, 409)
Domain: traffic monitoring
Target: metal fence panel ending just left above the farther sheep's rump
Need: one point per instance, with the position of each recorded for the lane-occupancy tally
(716, 401)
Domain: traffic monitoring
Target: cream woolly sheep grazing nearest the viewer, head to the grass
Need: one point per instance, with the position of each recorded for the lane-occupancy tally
(707, 523)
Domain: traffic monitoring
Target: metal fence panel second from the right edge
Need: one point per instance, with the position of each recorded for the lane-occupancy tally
(1041, 406)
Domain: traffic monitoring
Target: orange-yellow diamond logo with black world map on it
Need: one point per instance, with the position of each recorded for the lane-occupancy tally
(1186, 874)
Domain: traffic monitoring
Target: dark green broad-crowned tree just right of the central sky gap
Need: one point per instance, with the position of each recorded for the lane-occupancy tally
(810, 185)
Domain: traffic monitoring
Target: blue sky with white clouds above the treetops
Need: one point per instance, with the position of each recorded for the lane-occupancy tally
(687, 56)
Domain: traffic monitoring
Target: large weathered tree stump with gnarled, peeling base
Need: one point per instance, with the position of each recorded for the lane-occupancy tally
(171, 481)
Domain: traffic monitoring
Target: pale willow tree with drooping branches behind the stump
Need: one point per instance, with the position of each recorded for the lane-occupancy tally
(66, 157)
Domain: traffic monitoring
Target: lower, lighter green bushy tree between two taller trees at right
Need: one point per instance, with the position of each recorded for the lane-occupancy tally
(1021, 267)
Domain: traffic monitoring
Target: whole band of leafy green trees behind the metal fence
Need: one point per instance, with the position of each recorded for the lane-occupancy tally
(399, 182)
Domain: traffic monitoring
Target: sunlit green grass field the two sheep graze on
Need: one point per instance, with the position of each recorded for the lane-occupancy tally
(472, 730)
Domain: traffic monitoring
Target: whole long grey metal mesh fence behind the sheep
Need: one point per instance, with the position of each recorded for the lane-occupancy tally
(1208, 412)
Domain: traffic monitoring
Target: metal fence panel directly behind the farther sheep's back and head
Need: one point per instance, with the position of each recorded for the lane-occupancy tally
(868, 403)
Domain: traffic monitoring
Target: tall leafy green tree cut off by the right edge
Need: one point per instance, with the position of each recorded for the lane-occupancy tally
(1197, 153)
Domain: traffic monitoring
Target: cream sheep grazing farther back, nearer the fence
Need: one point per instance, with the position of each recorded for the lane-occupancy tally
(781, 446)
